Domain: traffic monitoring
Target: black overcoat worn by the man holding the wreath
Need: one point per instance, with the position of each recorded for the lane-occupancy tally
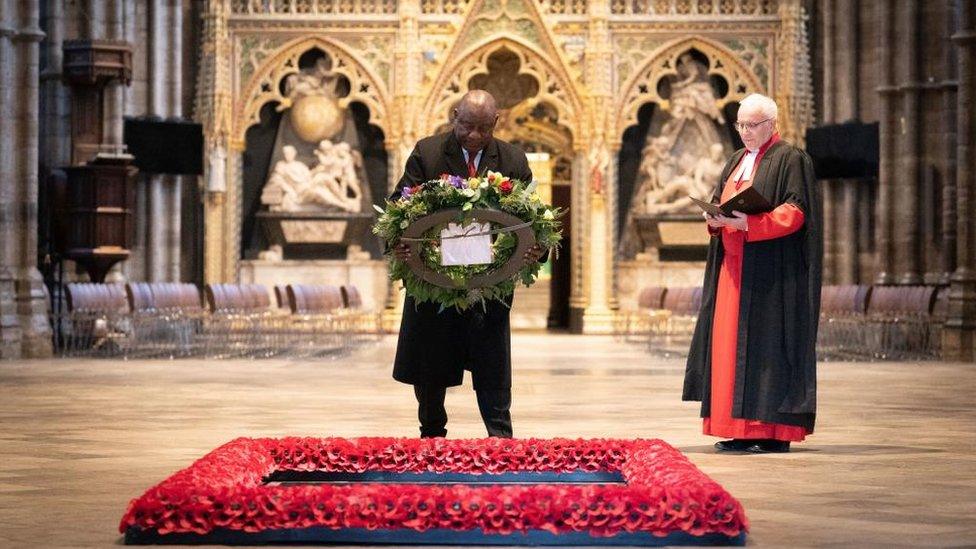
(434, 347)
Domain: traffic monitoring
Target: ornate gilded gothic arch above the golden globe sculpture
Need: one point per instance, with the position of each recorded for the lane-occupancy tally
(263, 86)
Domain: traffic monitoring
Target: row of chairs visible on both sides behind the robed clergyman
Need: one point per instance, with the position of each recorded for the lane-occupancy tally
(856, 321)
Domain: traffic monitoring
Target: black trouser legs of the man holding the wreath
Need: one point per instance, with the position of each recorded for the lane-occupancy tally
(494, 405)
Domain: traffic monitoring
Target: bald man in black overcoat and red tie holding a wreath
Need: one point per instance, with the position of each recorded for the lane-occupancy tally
(434, 348)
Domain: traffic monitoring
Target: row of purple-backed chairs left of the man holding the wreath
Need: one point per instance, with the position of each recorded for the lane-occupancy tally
(220, 320)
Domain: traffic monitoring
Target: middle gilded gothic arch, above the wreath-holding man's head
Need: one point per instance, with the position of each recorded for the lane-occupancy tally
(555, 86)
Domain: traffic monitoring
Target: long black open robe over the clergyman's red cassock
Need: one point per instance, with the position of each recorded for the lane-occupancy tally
(779, 308)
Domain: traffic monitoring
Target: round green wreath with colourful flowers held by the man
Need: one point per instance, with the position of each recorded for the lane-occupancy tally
(493, 191)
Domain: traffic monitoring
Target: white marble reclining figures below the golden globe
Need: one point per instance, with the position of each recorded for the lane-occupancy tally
(332, 184)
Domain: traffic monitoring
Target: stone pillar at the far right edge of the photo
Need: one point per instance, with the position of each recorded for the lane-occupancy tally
(959, 341)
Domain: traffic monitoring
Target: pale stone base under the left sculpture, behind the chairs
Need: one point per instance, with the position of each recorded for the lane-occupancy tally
(369, 275)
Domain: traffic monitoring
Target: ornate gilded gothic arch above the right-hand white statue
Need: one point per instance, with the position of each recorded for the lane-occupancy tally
(641, 88)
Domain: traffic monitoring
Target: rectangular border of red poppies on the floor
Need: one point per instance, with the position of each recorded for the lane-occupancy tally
(663, 492)
